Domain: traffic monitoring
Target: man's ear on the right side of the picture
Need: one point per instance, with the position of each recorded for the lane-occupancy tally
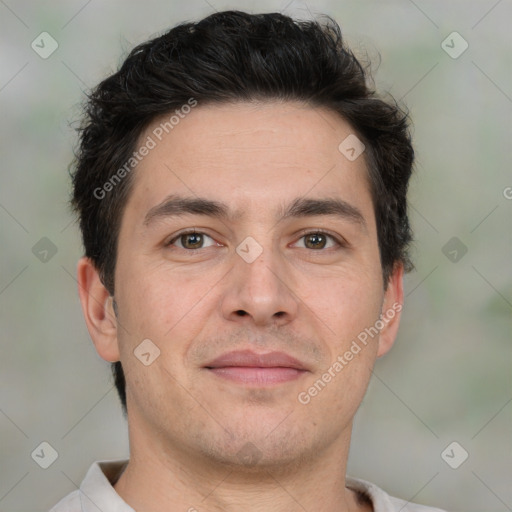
(391, 310)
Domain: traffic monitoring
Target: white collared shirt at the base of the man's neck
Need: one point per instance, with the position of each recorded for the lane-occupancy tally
(97, 493)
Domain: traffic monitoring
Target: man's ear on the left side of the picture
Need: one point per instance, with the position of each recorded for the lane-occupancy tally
(97, 306)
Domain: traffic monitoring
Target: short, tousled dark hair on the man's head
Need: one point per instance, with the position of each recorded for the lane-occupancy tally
(234, 56)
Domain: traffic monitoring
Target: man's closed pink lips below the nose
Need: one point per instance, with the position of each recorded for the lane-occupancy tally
(247, 367)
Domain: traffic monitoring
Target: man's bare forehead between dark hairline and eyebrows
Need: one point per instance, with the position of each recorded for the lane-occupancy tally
(248, 155)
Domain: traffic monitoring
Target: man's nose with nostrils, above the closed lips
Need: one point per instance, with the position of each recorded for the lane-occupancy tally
(260, 292)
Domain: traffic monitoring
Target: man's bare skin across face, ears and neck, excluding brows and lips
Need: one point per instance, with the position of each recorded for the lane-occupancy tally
(188, 428)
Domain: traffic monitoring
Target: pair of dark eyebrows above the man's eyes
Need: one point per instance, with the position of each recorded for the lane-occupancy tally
(175, 206)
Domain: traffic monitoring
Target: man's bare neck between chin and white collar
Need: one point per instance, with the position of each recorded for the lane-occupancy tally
(158, 475)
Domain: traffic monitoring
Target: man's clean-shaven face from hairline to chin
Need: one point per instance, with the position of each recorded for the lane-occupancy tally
(248, 256)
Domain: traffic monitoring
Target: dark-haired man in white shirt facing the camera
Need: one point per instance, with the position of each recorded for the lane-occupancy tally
(242, 201)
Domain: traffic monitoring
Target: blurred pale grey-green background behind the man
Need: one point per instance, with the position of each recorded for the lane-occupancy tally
(448, 377)
